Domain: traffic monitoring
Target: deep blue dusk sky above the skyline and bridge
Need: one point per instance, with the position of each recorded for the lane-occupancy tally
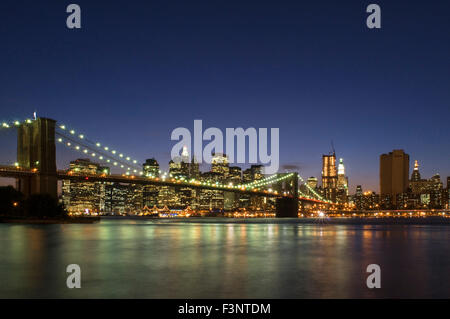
(138, 69)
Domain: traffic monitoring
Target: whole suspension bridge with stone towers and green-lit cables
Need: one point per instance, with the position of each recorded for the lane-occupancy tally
(36, 170)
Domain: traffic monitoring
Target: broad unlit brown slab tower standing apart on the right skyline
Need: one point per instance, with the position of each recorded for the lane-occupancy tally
(394, 171)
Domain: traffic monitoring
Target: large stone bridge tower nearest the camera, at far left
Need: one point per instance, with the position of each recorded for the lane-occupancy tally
(36, 150)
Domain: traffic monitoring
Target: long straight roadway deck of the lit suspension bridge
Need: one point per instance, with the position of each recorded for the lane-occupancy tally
(15, 172)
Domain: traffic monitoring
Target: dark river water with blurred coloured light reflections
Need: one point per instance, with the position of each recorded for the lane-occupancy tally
(216, 258)
